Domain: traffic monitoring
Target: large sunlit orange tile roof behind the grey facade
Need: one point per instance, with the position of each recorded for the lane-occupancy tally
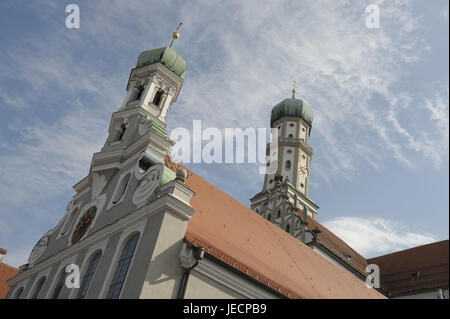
(241, 238)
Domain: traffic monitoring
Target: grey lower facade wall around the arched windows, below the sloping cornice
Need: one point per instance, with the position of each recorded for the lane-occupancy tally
(156, 228)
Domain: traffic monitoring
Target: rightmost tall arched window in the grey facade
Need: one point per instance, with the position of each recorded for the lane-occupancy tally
(122, 268)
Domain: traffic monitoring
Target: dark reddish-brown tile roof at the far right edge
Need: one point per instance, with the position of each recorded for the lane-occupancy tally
(418, 268)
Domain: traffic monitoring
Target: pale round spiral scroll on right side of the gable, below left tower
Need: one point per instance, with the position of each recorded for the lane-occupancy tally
(148, 184)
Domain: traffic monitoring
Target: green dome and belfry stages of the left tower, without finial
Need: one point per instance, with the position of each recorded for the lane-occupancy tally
(153, 86)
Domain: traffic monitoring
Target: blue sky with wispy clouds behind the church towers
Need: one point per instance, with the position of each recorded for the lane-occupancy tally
(380, 96)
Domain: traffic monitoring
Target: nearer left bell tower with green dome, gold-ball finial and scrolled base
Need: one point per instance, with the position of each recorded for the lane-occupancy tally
(137, 138)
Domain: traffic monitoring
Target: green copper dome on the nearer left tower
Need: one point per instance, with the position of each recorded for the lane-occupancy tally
(167, 57)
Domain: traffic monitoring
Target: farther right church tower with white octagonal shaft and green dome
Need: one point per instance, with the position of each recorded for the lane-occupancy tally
(285, 191)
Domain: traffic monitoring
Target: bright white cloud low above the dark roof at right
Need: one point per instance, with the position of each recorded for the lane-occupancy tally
(376, 236)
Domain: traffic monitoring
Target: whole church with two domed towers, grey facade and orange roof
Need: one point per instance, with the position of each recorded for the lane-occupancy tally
(142, 226)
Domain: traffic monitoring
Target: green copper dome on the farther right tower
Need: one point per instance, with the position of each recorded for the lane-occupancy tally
(292, 107)
